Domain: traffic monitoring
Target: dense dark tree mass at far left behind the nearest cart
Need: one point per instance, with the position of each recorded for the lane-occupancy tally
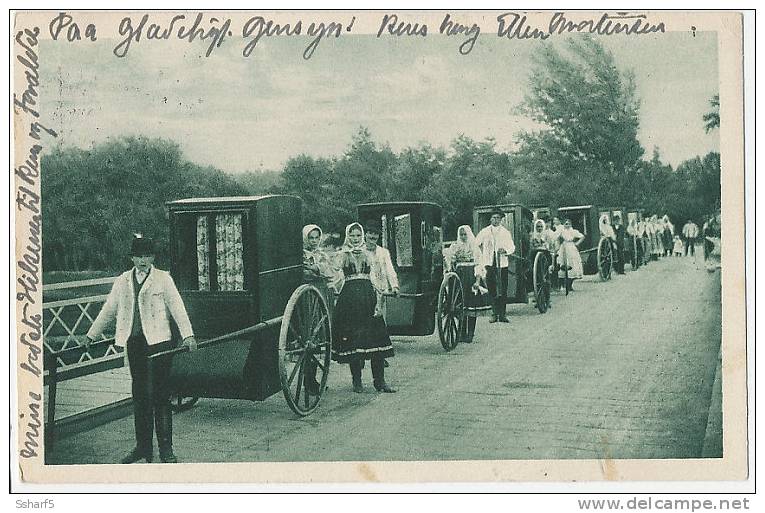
(95, 199)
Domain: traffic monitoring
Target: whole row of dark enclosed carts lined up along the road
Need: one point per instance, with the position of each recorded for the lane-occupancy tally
(237, 262)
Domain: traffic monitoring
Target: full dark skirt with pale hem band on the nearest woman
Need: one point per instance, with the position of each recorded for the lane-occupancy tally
(357, 333)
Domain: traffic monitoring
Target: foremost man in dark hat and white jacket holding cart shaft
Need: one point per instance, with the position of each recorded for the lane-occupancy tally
(140, 301)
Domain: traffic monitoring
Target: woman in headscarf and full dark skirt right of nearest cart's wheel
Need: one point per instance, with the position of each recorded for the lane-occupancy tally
(359, 331)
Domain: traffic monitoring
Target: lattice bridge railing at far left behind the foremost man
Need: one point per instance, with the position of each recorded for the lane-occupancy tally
(65, 324)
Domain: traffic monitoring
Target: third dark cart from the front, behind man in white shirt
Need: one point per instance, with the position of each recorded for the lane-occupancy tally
(528, 270)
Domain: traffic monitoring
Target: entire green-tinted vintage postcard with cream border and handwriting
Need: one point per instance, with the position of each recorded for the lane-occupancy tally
(379, 246)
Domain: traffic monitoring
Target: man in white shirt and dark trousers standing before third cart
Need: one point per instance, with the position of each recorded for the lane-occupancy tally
(496, 245)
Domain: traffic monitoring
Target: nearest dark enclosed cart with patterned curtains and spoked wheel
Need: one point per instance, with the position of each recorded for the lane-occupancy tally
(237, 262)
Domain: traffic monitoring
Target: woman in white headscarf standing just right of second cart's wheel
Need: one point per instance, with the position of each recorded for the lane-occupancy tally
(462, 258)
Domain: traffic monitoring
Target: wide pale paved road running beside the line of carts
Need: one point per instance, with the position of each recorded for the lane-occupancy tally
(623, 369)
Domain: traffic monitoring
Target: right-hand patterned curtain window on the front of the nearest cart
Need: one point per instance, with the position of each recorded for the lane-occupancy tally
(228, 258)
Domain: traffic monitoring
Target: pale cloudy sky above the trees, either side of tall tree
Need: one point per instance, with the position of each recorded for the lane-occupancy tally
(247, 114)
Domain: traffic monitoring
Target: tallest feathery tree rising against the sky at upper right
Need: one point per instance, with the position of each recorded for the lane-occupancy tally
(587, 148)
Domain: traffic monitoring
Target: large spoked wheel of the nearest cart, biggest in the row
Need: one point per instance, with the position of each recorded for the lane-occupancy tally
(305, 346)
